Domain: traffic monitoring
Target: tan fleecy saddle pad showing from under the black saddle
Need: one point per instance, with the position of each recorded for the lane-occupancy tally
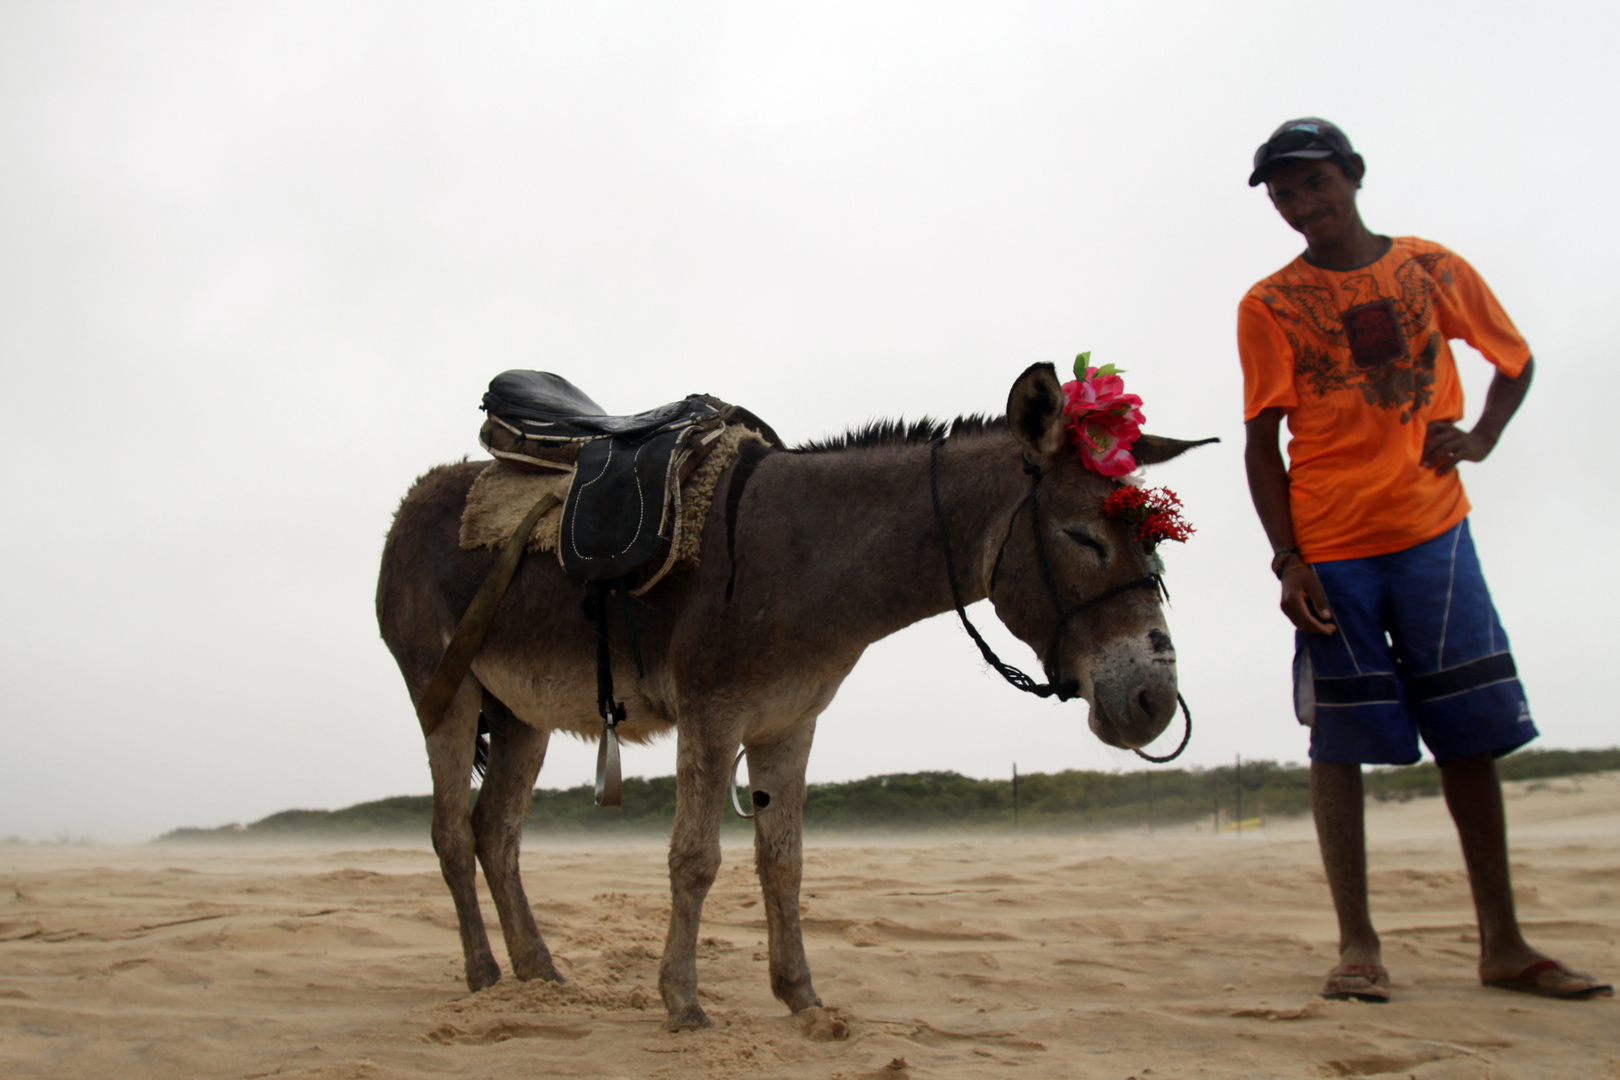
(503, 495)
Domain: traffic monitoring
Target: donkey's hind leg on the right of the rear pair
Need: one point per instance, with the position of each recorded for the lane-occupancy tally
(516, 755)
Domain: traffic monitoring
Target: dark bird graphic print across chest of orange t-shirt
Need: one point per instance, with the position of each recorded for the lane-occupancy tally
(1368, 344)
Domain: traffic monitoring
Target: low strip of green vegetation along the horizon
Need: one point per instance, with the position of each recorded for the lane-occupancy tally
(921, 802)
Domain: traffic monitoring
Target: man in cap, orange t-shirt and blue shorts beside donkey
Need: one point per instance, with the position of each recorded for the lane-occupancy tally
(1397, 637)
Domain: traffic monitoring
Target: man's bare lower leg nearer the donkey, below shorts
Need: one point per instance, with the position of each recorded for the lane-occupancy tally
(1342, 833)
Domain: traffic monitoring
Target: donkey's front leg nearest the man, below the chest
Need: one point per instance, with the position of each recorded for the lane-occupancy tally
(777, 781)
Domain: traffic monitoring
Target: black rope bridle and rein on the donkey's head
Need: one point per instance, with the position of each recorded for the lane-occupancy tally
(1059, 687)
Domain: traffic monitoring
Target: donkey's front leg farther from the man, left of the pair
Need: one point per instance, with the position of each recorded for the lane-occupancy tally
(702, 773)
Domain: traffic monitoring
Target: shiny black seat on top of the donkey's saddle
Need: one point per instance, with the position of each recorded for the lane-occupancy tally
(550, 407)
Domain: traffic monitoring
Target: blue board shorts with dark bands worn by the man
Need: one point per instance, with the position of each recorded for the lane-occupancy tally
(1420, 653)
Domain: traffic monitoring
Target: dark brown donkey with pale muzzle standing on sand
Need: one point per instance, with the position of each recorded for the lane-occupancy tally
(829, 550)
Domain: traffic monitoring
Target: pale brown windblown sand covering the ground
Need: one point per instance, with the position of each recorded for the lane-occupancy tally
(1093, 956)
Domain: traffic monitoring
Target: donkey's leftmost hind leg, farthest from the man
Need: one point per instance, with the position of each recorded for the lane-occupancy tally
(451, 759)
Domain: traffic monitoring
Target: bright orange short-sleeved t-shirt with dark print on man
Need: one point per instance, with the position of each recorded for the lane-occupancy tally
(1360, 362)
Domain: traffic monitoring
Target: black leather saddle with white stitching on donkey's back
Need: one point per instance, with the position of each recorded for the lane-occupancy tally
(628, 470)
